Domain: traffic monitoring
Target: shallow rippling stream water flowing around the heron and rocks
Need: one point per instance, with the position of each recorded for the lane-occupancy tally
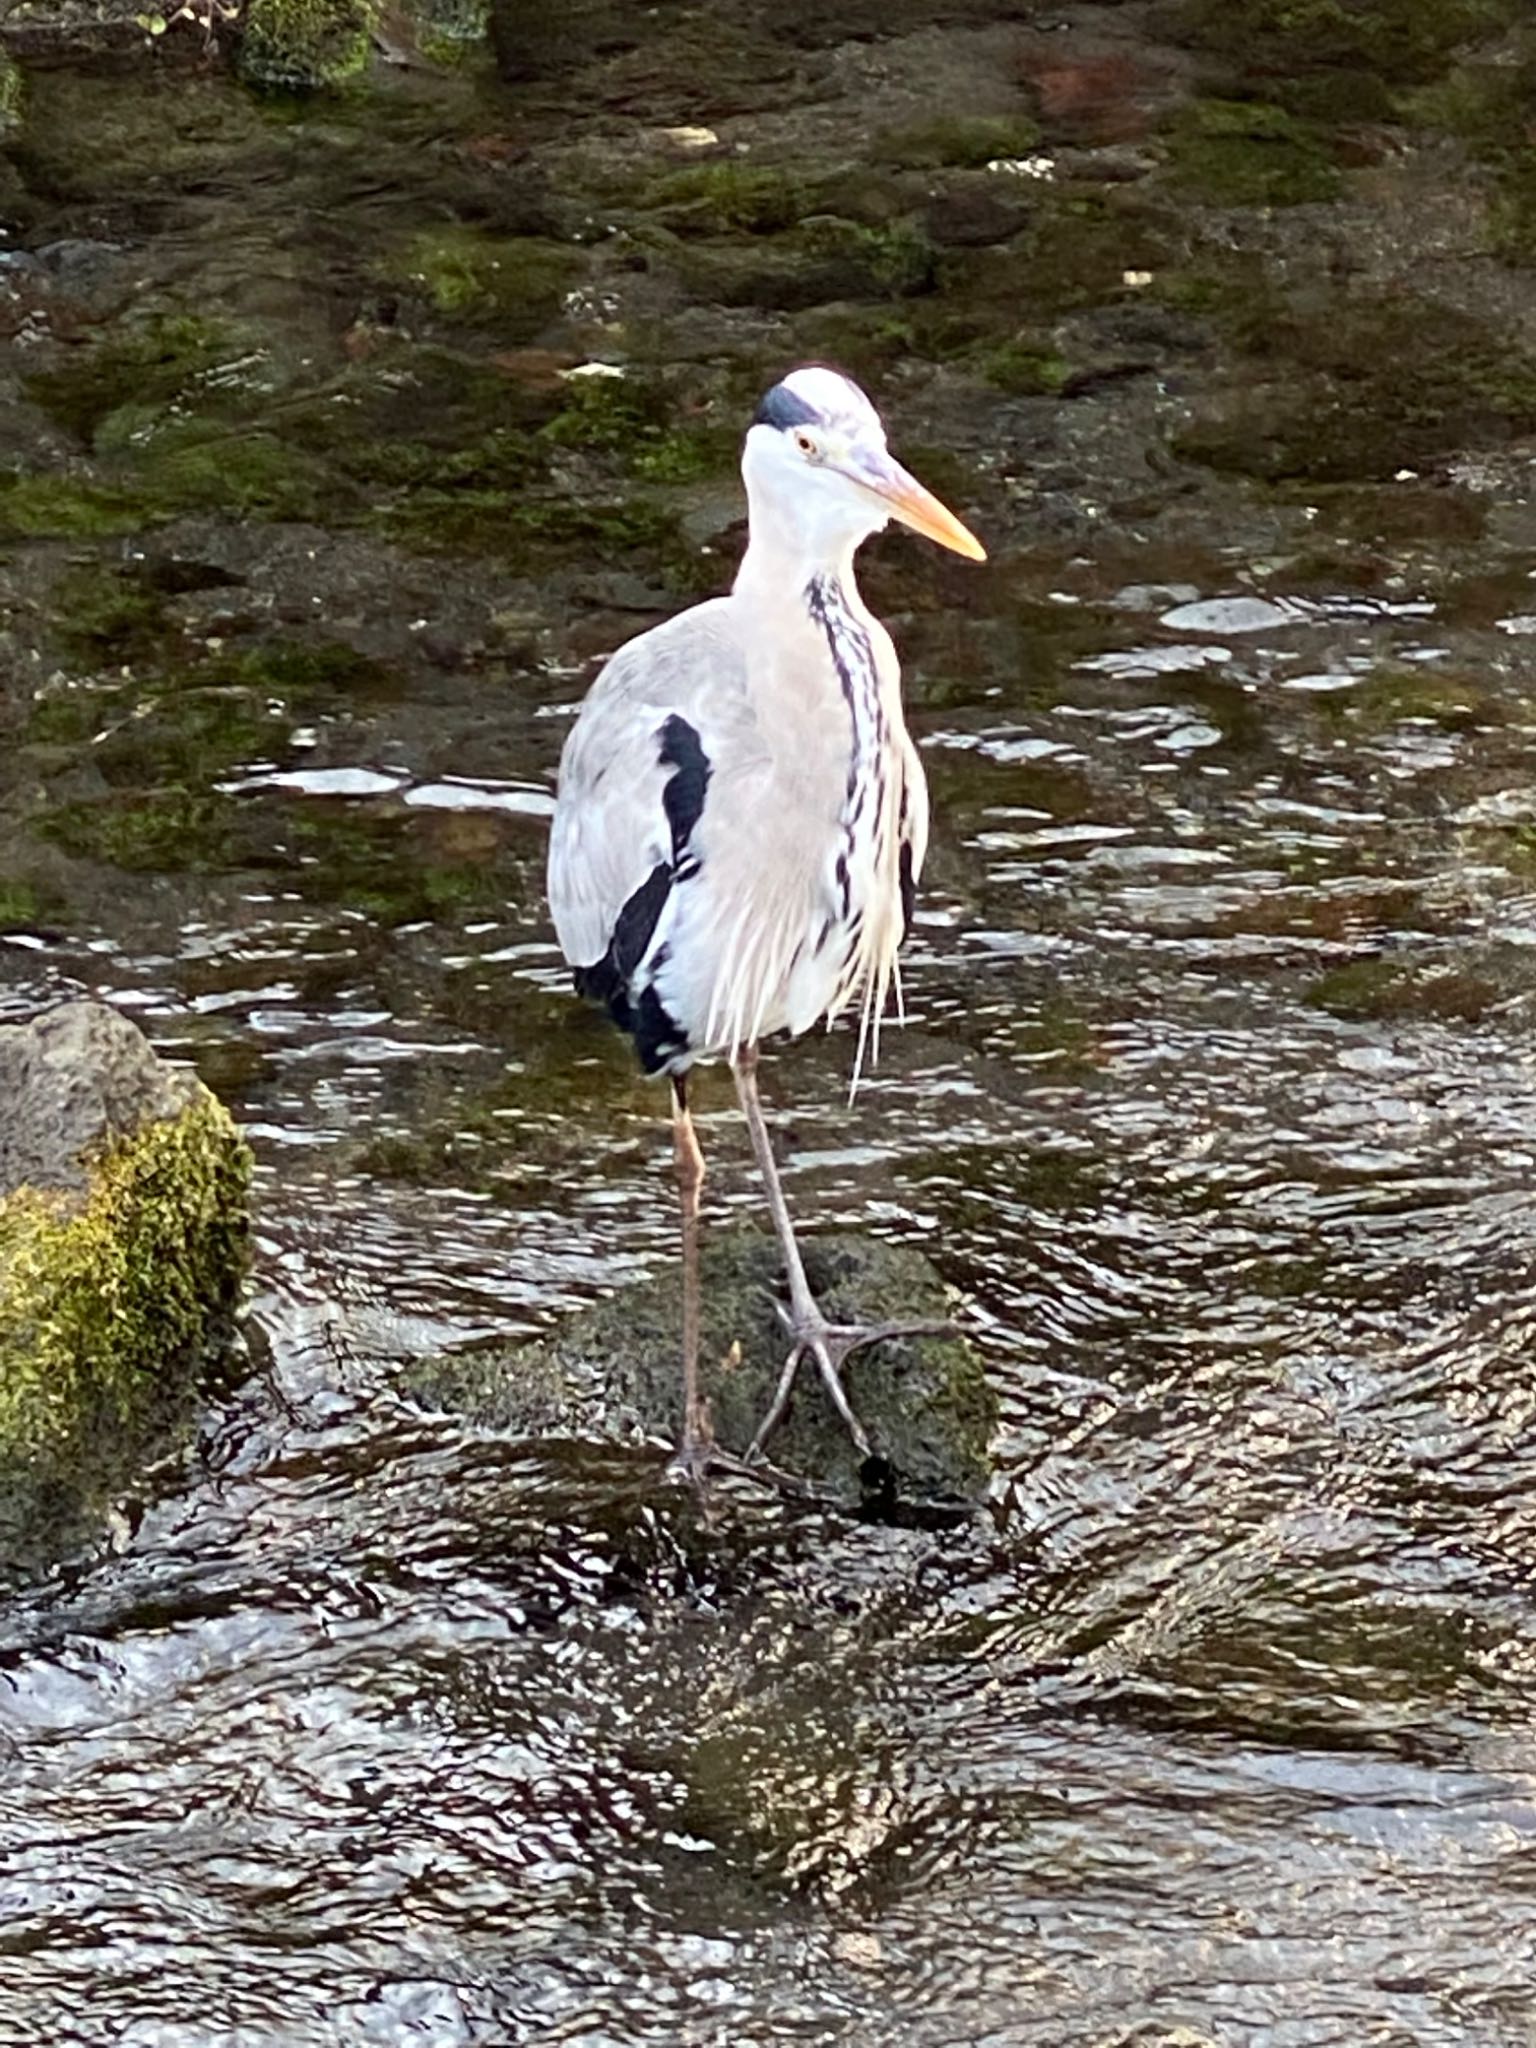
(1218, 1103)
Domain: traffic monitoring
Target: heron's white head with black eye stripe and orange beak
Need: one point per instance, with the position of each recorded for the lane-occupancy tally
(818, 466)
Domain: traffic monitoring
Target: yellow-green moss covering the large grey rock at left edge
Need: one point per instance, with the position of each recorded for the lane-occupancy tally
(103, 1297)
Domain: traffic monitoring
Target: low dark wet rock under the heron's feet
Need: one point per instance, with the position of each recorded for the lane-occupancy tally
(615, 1371)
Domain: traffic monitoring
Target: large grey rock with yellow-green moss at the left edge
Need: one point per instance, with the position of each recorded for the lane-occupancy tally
(124, 1244)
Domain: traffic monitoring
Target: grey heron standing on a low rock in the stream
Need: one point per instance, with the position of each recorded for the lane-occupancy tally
(742, 818)
